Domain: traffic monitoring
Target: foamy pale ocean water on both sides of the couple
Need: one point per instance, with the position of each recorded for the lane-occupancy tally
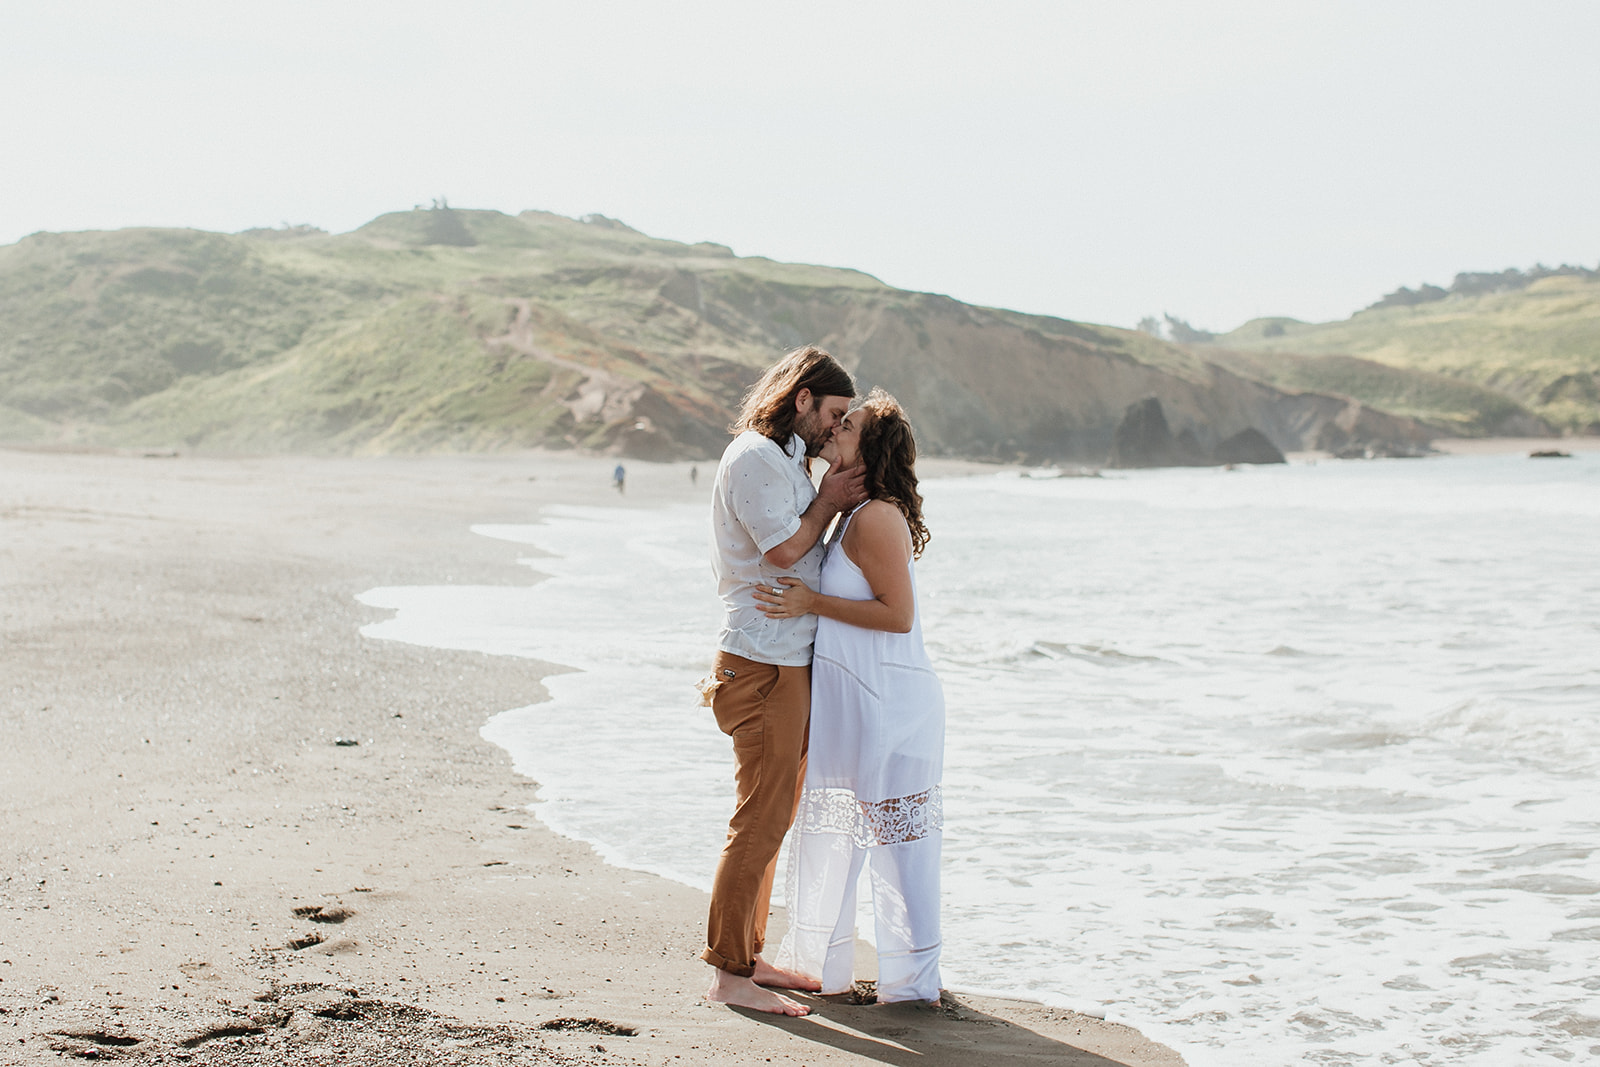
(1284, 765)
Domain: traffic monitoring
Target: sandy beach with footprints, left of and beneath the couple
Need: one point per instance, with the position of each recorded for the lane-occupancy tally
(198, 873)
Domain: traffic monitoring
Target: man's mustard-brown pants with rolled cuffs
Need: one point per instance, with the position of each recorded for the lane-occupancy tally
(767, 711)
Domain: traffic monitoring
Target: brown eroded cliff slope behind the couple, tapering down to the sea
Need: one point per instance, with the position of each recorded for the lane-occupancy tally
(986, 383)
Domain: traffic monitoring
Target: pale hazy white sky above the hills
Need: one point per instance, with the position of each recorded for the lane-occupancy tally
(1100, 161)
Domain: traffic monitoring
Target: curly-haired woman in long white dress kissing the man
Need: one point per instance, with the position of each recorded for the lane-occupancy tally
(878, 730)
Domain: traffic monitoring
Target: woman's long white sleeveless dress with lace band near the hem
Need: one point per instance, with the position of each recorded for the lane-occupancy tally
(871, 799)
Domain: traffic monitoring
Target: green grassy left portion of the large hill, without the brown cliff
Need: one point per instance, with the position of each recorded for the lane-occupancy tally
(369, 342)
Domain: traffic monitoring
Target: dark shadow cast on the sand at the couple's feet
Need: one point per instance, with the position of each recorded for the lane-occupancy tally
(927, 1036)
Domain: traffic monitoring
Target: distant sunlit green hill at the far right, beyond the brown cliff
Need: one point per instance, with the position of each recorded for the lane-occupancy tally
(1471, 362)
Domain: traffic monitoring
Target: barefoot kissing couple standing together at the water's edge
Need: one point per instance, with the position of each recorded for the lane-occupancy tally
(823, 684)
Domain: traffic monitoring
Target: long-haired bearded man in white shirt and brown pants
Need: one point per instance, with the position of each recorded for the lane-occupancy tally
(767, 522)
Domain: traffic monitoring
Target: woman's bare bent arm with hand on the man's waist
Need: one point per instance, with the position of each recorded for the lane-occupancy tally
(879, 543)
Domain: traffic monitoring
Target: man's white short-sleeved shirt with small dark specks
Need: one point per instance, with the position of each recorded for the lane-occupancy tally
(762, 489)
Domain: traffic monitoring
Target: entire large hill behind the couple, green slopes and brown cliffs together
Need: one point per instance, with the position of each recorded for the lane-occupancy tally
(474, 330)
